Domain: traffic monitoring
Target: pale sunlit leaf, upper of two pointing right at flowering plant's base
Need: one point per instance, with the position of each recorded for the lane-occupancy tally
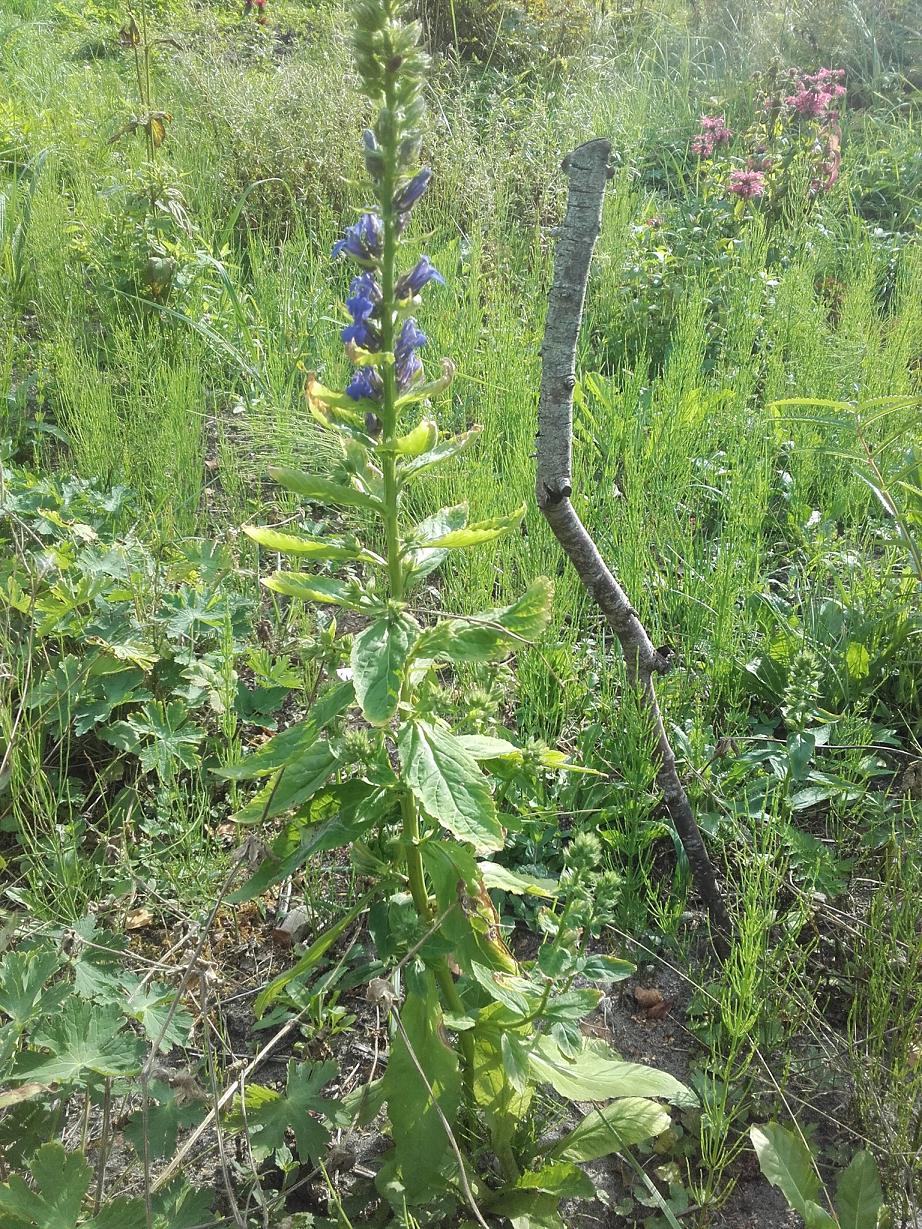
(596, 1075)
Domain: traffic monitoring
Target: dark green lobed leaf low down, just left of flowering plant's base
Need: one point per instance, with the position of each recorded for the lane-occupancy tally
(266, 1115)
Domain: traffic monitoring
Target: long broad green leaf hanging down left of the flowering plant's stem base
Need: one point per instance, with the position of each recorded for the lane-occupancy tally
(421, 1144)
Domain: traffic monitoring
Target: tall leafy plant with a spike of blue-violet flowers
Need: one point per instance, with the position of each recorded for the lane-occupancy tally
(377, 766)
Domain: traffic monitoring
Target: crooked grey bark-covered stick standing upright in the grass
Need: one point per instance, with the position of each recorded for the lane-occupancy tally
(588, 171)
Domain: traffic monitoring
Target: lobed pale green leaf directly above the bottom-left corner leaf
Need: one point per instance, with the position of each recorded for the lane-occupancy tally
(84, 1040)
